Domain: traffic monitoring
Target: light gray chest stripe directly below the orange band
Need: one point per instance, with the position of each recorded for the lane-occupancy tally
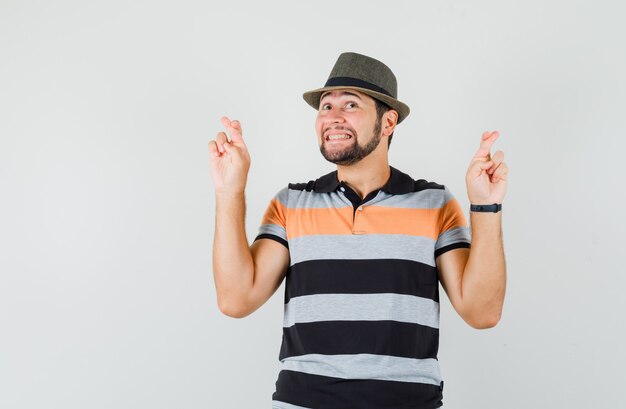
(363, 247)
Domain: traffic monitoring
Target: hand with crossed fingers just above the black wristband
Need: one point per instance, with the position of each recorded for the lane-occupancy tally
(486, 176)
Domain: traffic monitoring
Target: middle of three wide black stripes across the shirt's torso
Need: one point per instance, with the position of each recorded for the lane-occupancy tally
(393, 338)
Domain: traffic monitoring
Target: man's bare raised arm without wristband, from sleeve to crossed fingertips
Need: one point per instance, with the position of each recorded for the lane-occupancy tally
(245, 277)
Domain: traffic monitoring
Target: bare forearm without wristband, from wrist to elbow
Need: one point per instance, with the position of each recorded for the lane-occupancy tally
(233, 266)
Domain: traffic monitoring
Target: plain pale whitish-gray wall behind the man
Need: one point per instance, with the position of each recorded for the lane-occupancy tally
(107, 208)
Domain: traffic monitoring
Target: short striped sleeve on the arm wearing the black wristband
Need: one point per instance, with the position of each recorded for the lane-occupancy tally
(454, 231)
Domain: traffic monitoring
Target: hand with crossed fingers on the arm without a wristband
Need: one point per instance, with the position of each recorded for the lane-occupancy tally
(230, 160)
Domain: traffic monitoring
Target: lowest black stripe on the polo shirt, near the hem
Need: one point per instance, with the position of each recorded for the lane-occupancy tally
(316, 391)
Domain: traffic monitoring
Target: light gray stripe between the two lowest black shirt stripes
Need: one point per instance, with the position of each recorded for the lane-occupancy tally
(367, 366)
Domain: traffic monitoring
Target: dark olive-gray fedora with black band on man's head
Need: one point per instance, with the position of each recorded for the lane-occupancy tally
(364, 74)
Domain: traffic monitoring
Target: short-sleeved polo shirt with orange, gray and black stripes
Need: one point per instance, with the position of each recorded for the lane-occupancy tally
(361, 315)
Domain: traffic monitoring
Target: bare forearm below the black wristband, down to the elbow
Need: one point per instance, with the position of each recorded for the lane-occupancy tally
(484, 277)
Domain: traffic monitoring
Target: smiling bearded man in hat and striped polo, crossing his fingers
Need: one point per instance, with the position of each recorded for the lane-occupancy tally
(363, 249)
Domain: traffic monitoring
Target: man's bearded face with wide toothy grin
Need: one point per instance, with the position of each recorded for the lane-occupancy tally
(346, 126)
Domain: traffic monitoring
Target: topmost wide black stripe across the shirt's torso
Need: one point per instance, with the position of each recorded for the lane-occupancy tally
(362, 277)
